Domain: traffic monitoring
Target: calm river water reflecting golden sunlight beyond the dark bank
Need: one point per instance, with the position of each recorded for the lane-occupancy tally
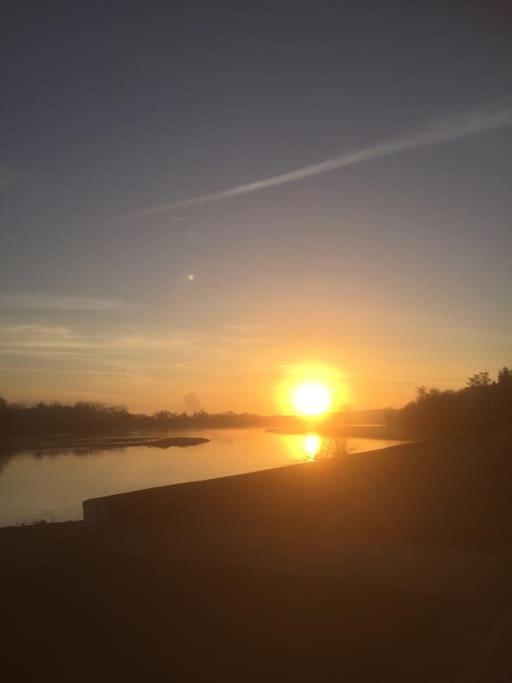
(51, 485)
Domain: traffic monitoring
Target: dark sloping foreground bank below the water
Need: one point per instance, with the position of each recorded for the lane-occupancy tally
(390, 566)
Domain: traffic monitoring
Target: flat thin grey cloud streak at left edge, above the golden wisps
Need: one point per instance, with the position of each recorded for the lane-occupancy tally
(61, 303)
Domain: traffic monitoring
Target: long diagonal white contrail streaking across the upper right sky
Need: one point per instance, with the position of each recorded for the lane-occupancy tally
(445, 131)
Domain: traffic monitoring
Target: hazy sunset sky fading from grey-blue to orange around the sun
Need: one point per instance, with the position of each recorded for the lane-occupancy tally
(200, 198)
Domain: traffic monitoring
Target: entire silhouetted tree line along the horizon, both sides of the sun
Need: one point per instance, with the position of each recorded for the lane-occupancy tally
(483, 404)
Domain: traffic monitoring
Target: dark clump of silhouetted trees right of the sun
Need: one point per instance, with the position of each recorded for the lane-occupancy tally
(483, 404)
